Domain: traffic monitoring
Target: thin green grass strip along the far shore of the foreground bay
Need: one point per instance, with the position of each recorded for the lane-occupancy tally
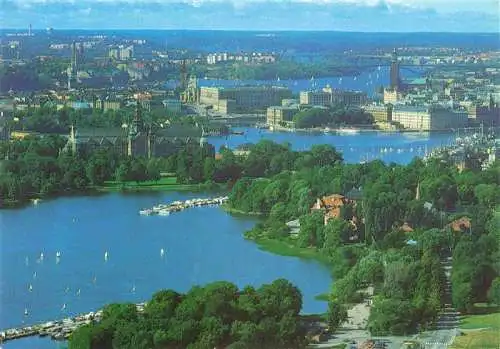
(165, 183)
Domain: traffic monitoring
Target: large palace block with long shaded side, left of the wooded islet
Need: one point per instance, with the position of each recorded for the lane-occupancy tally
(242, 99)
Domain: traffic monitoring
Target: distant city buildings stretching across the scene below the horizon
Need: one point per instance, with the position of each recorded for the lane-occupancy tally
(453, 88)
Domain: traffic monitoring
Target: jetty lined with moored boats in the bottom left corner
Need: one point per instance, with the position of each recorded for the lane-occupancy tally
(57, 330)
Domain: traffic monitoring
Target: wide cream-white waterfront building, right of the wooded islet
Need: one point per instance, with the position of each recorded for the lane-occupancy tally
(428, 118)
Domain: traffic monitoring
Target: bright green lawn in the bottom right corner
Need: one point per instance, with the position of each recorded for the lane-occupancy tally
(479, 331)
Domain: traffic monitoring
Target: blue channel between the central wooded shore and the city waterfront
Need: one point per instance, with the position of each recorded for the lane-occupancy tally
(364, 146)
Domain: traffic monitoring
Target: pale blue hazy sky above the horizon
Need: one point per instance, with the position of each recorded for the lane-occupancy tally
(339, 15)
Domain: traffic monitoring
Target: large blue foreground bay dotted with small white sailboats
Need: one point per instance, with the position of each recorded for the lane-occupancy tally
(201, 245)
